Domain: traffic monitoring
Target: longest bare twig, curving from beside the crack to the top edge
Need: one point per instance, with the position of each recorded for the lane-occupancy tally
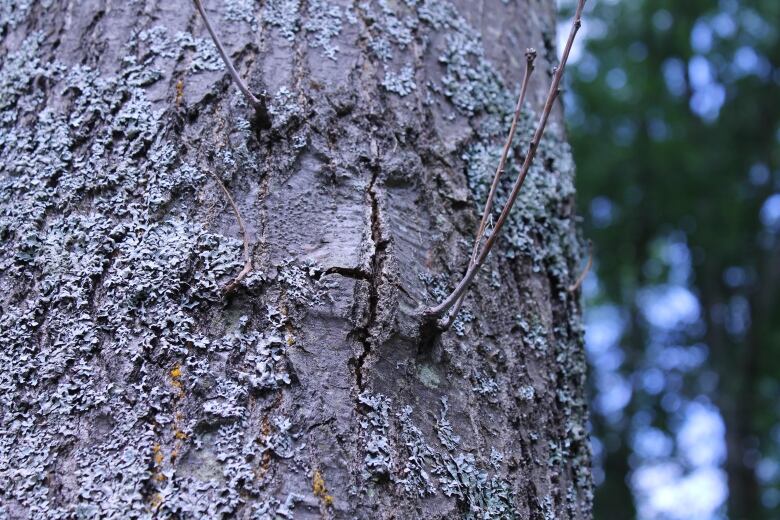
(439, 310)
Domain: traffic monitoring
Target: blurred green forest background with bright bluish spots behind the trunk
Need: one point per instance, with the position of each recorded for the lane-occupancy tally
(673, 110)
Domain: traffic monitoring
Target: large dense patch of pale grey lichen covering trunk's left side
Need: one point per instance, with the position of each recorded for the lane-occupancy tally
(105, 281)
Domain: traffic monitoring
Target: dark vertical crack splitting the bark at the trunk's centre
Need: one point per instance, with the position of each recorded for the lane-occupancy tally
(363, 334)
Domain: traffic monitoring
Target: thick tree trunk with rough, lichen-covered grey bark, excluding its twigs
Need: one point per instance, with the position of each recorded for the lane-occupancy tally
(130, 387)
